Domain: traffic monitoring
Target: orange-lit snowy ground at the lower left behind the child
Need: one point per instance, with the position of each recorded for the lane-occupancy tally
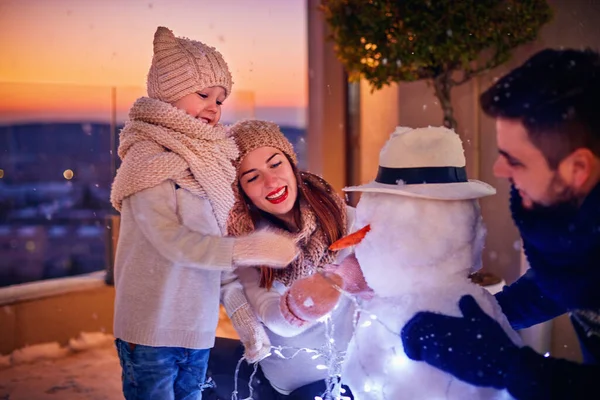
(86, 369)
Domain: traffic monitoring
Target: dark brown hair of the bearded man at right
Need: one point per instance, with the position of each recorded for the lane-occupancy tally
(555, 95)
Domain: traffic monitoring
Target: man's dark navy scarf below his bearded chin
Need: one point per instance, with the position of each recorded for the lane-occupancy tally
(562, 245)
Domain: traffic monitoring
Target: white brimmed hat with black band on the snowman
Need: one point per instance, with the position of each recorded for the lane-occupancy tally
(427, 163)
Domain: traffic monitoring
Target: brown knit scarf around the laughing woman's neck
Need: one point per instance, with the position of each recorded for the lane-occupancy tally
(311, 238)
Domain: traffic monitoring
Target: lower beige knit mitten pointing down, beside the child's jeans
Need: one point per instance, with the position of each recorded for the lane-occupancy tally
(252, 334)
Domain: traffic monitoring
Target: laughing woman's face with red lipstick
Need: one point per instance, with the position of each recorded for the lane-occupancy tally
(267, 178)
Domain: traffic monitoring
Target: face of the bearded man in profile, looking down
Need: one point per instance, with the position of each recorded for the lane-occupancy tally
(524, 165)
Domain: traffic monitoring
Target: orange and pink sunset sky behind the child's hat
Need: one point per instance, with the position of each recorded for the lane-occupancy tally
(88, 46)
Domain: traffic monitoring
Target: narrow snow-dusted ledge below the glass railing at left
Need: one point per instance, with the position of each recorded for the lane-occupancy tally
(51, 287)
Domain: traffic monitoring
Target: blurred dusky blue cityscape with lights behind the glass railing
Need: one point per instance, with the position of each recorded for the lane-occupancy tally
(55, 182)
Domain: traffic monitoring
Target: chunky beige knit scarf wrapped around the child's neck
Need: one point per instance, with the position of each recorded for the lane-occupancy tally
(161, 142)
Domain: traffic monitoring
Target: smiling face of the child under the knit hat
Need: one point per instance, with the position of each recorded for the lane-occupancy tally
(204, 105)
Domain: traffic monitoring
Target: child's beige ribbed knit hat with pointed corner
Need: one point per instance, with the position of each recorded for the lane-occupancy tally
(182, 66)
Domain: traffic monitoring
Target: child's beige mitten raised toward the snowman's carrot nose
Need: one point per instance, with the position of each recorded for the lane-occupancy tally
(264, 248)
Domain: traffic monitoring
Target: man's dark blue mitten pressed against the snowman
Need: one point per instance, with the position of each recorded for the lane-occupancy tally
(473, 348)
